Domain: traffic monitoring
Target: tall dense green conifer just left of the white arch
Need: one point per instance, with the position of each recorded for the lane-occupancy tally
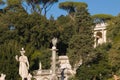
(81, 43)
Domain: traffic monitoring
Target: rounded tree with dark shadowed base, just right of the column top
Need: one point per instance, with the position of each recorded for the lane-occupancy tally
(66, 30)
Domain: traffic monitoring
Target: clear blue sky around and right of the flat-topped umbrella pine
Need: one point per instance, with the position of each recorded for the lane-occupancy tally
(94, 7)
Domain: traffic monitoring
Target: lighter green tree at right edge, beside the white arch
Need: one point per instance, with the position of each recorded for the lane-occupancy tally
(113, 38)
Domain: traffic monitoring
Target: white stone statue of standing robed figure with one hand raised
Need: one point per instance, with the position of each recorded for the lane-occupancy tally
(23, 64)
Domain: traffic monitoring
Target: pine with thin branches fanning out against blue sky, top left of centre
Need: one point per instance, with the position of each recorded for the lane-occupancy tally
(41, 6)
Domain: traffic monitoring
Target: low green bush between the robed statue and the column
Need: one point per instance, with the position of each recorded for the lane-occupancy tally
(43, 56)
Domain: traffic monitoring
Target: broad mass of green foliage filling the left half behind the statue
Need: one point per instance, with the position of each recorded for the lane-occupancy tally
(31, 31)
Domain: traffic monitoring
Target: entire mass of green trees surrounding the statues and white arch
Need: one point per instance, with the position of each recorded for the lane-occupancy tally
(75, 36)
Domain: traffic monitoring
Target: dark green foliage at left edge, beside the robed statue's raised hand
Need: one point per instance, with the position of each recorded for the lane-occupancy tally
(8, 64)
